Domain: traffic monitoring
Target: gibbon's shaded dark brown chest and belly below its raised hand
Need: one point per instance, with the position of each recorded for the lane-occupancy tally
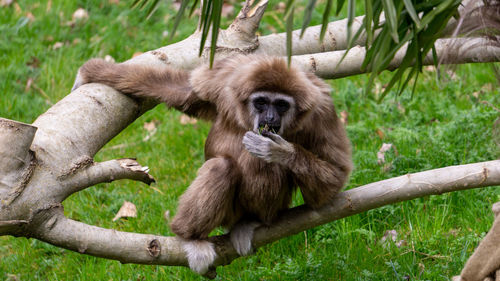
(265, 188)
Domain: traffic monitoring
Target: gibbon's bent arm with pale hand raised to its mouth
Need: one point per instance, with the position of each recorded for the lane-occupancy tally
(320, 176)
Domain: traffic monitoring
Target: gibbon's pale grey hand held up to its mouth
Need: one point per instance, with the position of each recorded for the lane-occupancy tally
(271, 148)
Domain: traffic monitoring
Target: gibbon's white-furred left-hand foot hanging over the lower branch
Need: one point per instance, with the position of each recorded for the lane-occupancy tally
(200, 253)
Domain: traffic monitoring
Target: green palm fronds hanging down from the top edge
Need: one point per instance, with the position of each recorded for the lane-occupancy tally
(388, 25)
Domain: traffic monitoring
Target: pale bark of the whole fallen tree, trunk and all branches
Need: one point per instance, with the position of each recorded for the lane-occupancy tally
(44, 163)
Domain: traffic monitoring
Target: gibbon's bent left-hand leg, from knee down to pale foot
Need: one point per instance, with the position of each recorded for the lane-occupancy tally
(206, 204)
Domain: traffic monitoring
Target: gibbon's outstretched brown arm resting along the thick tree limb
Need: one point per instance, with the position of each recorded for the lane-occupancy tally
(168, 85)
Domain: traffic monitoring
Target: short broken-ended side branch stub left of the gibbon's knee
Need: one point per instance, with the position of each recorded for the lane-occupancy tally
(86, 173)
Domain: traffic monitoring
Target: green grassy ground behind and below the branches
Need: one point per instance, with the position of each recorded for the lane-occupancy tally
(445, 123)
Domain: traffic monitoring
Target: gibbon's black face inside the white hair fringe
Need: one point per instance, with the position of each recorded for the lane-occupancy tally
(269, 110)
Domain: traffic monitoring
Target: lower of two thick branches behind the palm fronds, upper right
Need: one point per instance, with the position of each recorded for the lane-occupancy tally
(458, 51)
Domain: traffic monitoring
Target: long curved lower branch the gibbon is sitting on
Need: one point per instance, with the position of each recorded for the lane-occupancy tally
(152, 249)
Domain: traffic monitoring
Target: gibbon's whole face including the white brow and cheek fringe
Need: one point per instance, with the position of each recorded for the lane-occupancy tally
(272, 112)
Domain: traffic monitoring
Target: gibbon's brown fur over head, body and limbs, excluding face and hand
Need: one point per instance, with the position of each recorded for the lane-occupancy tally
(233, 184)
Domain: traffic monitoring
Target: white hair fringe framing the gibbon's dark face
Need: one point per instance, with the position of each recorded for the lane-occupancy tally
(286, 119)
